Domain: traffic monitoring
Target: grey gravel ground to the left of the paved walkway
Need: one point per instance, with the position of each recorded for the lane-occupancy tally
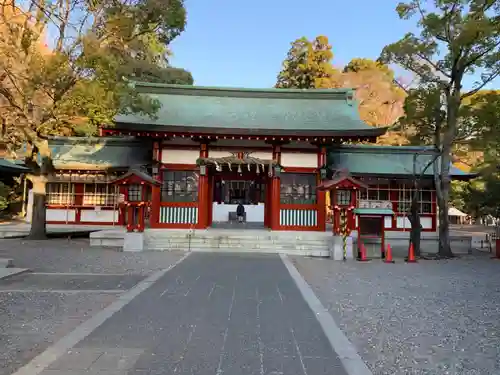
(38, 309)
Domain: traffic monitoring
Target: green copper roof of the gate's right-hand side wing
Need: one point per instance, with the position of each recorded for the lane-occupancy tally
(386, 160)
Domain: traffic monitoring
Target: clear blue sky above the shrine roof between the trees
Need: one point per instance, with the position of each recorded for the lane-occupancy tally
(243, 43)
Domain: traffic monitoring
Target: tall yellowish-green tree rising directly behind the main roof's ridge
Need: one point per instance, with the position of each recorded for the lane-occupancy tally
(308, 65)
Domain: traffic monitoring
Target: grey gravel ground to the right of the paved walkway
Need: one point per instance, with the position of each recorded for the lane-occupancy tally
(426, 318)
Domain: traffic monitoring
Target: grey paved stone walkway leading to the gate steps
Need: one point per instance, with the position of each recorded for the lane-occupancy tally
(212, 314)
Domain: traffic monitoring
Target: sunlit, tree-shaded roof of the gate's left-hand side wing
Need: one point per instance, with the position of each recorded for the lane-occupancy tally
(99, 153)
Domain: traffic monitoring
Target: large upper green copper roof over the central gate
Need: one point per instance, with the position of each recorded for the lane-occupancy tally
(263, 111)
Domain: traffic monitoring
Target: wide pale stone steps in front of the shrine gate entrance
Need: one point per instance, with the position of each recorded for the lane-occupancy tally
(314, 244)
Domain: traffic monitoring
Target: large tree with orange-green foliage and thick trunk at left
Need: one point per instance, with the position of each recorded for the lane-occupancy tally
(80, 78)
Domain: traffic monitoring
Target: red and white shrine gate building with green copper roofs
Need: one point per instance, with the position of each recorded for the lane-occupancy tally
(209, 149)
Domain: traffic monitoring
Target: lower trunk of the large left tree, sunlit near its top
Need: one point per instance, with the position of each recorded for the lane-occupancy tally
(39, 210)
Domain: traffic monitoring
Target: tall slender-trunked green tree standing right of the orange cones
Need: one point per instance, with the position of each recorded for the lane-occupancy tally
(457, 38)
